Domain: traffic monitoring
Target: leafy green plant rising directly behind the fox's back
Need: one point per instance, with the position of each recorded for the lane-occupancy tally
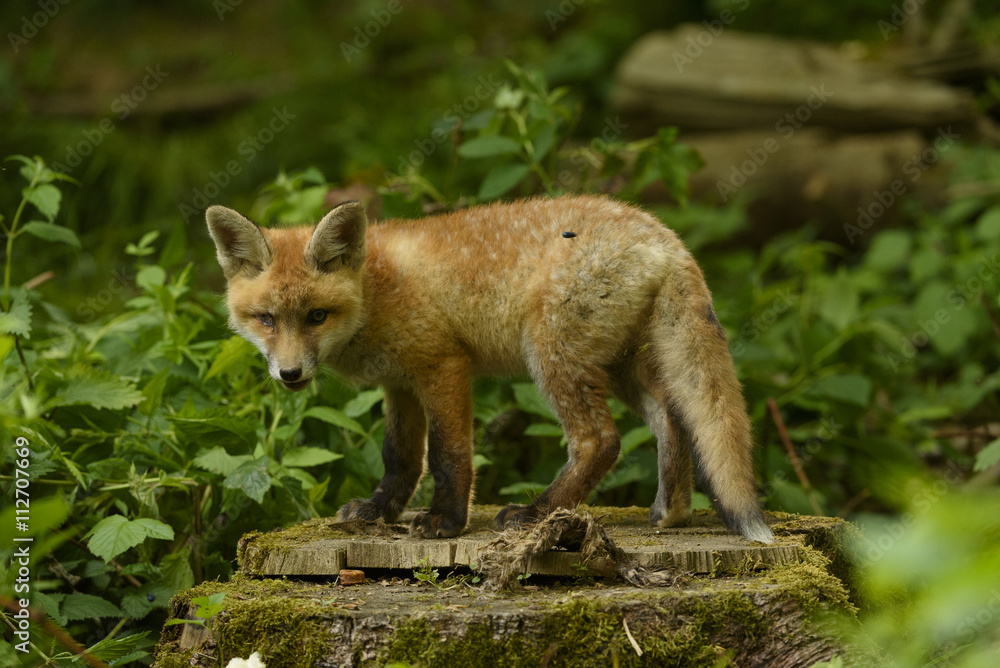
(520, 145)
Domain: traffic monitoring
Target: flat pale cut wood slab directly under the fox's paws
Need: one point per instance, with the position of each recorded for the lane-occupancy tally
(324, 546)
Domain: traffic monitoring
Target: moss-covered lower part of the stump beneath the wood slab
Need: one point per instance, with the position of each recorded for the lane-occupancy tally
(777, 616)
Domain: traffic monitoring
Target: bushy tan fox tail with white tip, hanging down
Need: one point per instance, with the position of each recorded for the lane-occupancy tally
(697, 368)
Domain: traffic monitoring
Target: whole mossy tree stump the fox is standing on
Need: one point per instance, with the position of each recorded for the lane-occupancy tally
(753, 603)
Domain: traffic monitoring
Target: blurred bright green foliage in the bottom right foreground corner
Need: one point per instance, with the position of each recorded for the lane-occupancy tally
(932, 577)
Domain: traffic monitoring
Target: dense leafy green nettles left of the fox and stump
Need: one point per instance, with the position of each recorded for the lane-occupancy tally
(155, 443)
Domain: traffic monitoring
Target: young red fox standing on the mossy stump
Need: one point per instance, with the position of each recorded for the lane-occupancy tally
(590, 296)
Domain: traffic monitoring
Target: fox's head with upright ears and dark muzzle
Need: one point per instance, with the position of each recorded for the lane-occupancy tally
(295, 293)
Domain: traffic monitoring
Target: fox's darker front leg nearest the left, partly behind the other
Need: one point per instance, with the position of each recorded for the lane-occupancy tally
(403, 454)
